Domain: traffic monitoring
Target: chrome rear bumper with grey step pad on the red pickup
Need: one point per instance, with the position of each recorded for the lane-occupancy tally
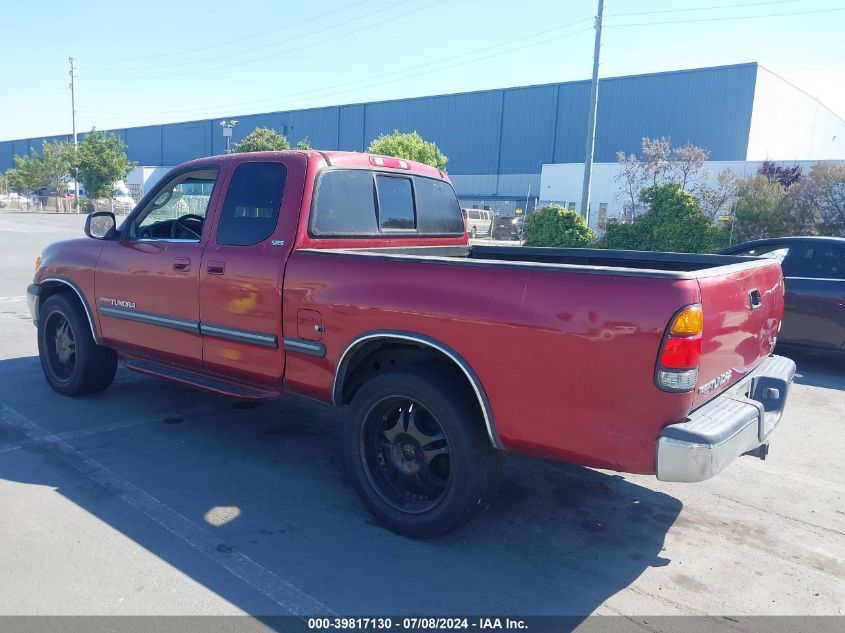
(726, 427)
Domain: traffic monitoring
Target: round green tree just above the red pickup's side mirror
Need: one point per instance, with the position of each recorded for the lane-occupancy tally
(102, 161)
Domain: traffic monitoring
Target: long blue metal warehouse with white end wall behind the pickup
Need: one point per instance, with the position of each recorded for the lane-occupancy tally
(497, 140)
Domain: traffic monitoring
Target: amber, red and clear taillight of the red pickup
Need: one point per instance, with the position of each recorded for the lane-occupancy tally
(680, 353)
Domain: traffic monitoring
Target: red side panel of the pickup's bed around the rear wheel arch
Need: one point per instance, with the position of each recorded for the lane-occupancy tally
(566, 359)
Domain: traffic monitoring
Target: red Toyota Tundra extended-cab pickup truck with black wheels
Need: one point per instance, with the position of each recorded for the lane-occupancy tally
(348, 278)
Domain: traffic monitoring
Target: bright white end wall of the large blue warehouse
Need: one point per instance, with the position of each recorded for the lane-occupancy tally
(789, 124)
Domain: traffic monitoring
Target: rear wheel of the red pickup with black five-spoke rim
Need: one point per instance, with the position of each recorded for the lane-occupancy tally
(431, 470)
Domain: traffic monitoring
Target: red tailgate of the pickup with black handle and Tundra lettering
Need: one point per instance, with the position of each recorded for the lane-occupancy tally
(742, 313)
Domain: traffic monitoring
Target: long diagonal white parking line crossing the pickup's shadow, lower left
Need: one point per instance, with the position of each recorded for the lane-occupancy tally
(286, 595)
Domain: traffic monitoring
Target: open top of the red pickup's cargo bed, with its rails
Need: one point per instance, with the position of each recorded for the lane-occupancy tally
(583, 260)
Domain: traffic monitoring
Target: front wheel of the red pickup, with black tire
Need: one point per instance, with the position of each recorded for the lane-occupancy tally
(72, 362)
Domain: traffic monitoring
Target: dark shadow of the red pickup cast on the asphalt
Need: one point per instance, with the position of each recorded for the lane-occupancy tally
(269, 482)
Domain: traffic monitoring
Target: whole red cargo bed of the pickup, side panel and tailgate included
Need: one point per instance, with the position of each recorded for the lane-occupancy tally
(546, 331)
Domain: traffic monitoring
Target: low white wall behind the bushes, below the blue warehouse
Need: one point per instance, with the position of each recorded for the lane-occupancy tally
(562, 182)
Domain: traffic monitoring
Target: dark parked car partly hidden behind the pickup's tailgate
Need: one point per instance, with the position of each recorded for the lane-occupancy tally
(814, 270)
